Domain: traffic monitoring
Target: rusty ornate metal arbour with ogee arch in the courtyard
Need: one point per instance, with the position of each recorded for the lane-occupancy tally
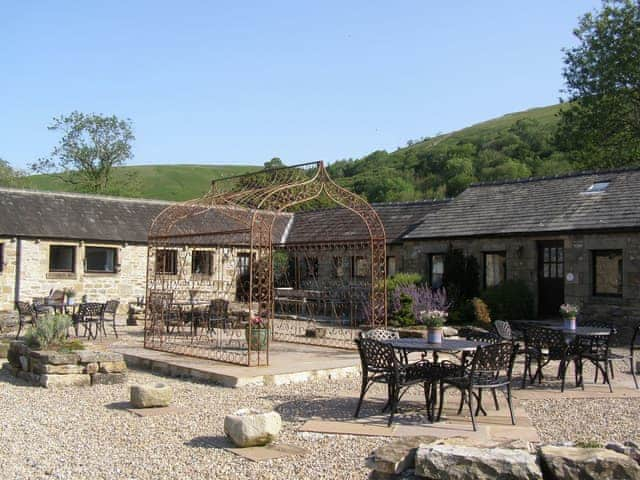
(243, 226)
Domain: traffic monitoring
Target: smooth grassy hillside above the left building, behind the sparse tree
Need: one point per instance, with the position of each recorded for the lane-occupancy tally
(165, 182)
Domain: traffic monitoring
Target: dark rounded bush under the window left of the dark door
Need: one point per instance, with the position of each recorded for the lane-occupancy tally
(511, 300)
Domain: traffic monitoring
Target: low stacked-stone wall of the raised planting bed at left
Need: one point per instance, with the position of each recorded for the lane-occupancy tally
(49, 368)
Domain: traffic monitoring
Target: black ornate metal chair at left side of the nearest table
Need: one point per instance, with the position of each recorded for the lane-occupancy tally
(381, 365)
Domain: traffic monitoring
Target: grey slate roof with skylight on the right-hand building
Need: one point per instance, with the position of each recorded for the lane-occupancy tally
(538, 205)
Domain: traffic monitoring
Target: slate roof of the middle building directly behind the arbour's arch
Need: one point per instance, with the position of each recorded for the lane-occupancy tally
(343, 225)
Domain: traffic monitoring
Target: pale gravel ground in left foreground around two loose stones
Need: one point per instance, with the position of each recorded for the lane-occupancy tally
(79, 433)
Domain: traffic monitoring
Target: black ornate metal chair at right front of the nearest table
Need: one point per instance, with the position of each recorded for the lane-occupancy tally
(490, 369)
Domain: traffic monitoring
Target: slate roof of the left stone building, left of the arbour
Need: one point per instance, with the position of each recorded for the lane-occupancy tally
(36, 214)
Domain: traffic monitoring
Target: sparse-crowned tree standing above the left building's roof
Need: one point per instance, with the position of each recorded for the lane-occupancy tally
(90, 148)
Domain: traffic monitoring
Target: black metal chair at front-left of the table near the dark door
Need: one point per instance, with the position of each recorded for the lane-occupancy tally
(542, 345)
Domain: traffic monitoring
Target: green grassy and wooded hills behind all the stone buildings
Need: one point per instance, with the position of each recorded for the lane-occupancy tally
(514, 145)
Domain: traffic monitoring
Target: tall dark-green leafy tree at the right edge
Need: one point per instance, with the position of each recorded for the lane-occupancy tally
(601, 127)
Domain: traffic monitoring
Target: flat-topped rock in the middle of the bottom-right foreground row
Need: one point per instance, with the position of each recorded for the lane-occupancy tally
(457, 462)
